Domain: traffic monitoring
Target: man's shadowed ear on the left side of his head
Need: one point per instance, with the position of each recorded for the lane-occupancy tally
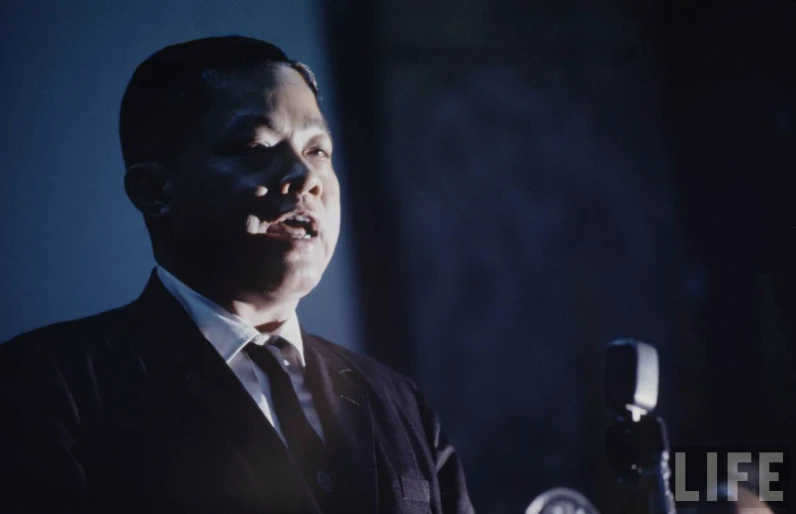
(149, 186)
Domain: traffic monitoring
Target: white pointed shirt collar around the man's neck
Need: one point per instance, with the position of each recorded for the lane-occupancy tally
(226, 331)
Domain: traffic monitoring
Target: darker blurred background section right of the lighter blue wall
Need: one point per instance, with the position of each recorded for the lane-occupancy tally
(534, 179)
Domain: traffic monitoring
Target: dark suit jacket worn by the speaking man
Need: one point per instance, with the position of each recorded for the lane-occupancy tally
(132, 410)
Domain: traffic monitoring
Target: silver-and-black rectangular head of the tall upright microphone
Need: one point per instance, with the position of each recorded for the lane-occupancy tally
(631, 377)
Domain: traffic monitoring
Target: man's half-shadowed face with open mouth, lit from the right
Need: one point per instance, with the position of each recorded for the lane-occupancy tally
(255, 199)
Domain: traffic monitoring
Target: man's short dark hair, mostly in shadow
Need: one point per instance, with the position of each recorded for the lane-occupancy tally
(169, 92)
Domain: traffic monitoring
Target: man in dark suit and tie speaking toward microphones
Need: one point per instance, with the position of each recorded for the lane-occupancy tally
(204, 394)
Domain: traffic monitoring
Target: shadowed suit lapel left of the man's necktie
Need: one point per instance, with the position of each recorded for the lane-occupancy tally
(170, 338)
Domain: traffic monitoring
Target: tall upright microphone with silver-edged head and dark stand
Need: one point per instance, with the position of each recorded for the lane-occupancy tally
(636, 443)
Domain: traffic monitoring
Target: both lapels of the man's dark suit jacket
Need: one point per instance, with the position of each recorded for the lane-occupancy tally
(168, 336)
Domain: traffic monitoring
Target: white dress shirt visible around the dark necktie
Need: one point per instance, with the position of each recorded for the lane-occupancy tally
(229, 333)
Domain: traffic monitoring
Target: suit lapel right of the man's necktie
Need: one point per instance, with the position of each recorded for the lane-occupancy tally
(346, 417)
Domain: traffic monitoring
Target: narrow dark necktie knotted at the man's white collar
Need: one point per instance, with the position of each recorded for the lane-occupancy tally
(278, 359)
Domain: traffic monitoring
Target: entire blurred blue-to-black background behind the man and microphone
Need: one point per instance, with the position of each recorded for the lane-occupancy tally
(524, 182)
